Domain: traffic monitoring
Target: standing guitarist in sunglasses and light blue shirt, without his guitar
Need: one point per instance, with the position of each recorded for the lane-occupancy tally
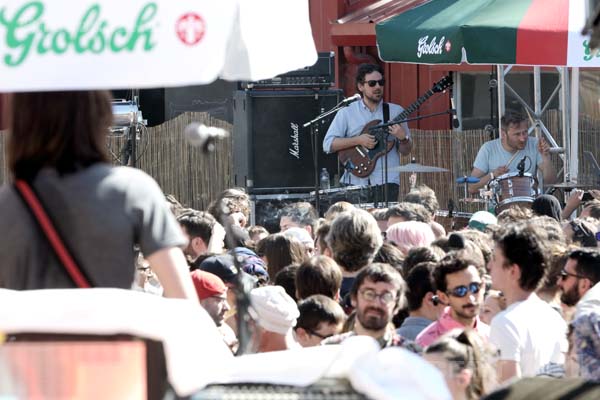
(345, 132)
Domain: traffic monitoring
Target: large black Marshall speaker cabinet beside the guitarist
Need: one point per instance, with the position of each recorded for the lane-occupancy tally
(271, 149)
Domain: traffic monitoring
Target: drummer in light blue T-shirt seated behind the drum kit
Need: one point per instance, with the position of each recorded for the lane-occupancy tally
(512, 150)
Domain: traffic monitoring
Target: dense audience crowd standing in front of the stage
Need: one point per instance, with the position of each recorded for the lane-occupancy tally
(517, 296)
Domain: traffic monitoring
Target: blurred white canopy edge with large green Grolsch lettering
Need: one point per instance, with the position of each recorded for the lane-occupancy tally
(84, 44)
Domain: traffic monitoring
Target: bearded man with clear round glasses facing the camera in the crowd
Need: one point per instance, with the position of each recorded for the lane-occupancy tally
(377, 294)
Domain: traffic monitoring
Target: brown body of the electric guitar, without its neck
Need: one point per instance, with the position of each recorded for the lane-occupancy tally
(361, 161)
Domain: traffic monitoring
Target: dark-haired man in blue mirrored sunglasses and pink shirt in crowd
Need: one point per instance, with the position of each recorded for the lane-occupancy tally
(459, 286)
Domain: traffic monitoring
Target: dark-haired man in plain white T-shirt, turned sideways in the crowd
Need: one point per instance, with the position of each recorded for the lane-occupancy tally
(529, 334)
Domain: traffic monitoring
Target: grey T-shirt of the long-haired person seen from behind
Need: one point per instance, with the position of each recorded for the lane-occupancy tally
(100, 212)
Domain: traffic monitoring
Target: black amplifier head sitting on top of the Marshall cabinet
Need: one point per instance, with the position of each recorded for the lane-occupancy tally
(319, 75)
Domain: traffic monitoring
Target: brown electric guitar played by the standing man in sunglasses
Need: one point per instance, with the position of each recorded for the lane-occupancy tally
(361, 161)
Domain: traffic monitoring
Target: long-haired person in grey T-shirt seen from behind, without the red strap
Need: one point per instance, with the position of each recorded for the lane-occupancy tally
(57, 144)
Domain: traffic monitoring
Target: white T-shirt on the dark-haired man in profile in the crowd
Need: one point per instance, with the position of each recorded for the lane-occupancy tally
(531, 333)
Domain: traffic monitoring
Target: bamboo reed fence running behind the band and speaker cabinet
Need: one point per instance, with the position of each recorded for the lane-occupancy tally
(195, 178)
